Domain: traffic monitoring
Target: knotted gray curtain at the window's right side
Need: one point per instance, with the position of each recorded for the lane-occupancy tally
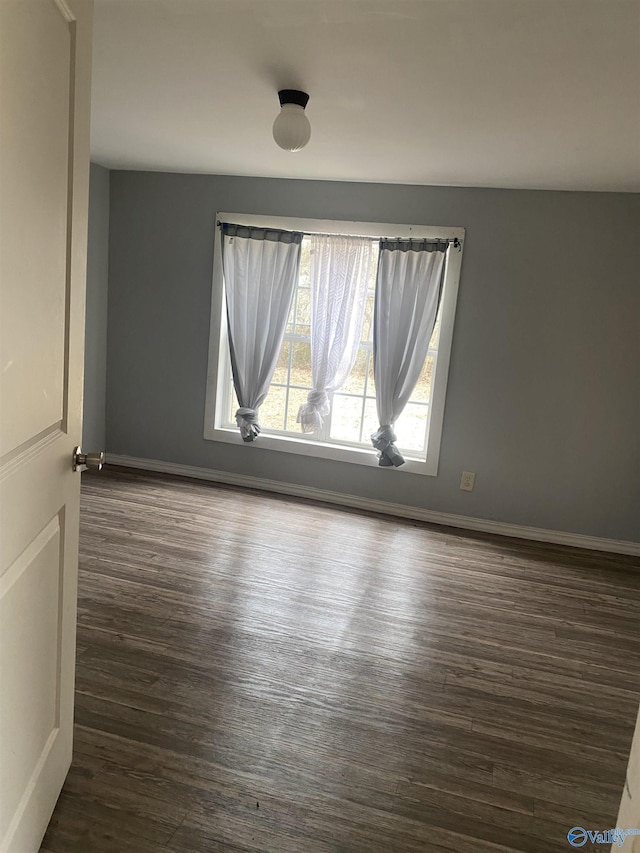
(408, 288)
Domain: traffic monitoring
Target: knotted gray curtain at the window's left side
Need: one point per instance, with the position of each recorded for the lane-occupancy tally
(260, 268)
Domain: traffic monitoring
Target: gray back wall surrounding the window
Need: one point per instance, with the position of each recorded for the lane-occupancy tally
(543, 396)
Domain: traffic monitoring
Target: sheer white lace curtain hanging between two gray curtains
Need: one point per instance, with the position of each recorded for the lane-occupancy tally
(340, 268)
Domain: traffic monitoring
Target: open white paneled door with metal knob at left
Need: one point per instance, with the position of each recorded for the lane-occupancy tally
(45, 63)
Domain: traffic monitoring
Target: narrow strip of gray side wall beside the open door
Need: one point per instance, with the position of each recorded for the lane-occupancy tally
(95, 352)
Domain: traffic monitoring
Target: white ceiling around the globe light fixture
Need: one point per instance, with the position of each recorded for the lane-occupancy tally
(499, 93)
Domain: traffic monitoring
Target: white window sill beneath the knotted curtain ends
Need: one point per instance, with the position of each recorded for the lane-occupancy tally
(319, 450)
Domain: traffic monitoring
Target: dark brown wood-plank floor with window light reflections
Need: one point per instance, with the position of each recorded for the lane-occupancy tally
(258, 673)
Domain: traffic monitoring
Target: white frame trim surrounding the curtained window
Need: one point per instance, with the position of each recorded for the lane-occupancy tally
(218, 373)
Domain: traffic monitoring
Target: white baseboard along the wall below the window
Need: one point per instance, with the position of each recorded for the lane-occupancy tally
(519, 531)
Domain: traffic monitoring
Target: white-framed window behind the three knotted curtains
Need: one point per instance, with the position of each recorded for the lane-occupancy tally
(352, 419)
